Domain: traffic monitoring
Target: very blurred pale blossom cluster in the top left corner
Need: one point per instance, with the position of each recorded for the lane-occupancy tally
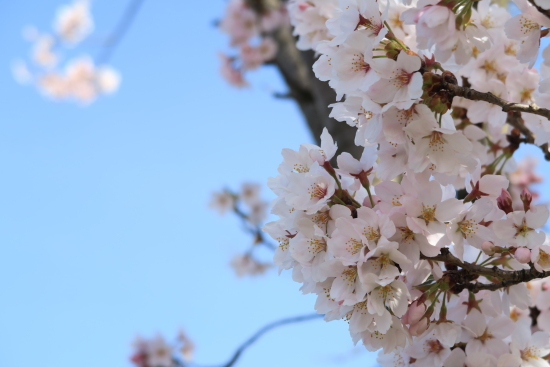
(80, 79)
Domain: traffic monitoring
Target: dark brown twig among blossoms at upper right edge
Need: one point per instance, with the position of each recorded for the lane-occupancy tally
(514, 117)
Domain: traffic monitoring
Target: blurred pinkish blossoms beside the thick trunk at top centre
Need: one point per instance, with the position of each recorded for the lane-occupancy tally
(249, 32)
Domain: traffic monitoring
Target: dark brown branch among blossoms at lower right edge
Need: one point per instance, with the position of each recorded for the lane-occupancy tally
(507, 277)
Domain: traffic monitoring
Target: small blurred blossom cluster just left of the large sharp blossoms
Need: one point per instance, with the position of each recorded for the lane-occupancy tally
(252, 210)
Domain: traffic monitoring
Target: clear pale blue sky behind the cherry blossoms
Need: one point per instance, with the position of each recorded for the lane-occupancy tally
(104, 227)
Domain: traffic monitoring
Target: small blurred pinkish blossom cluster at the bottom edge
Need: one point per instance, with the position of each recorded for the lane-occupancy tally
(156, 352)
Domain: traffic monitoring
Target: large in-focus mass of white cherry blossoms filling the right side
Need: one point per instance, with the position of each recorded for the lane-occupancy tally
(384, 241)
